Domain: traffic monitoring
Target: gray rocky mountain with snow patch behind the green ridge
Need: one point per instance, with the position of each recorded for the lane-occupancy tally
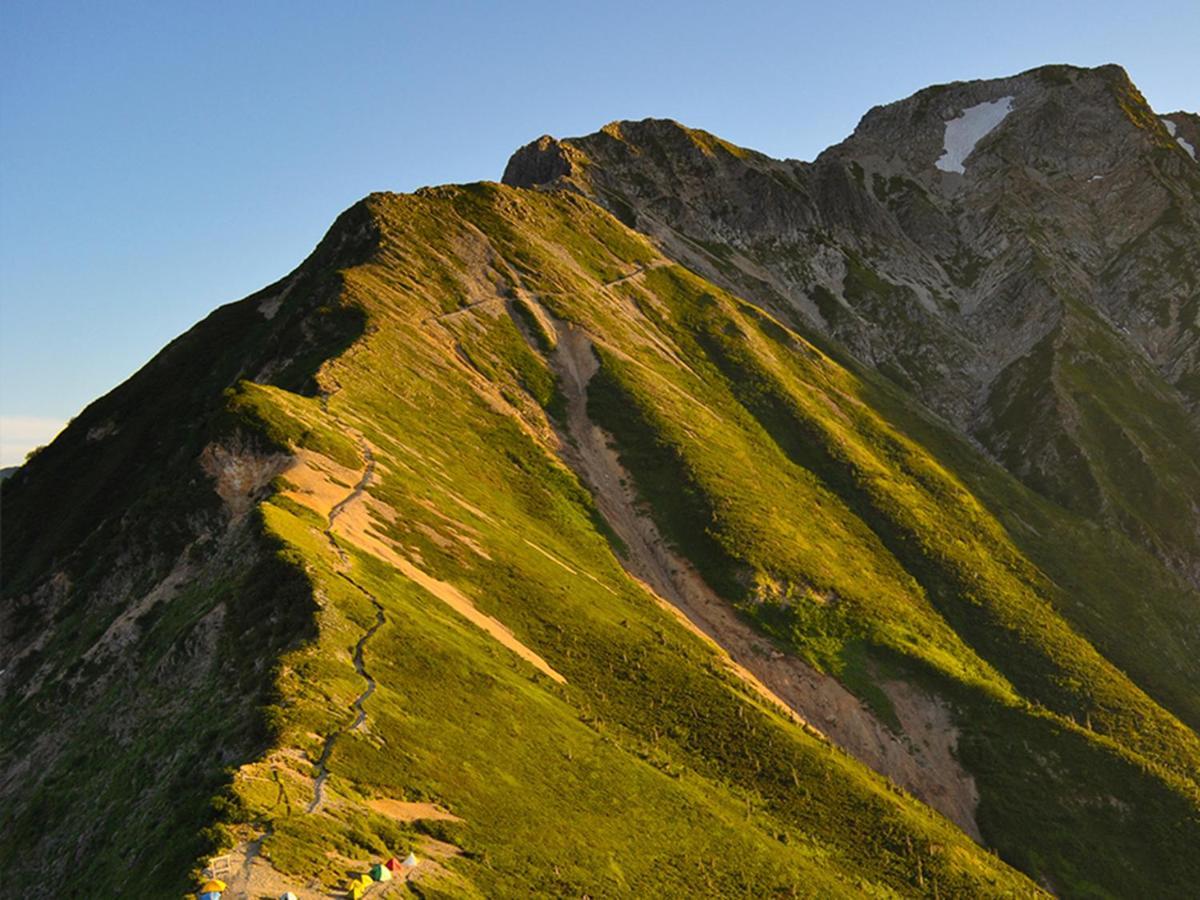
(1021, 254)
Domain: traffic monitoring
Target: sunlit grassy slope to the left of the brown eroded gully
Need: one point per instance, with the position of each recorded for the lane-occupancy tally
(651, 771)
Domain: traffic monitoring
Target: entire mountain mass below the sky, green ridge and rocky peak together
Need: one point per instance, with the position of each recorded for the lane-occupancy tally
(668, 521)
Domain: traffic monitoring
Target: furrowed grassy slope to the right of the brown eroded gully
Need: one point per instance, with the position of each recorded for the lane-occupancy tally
(963, 565)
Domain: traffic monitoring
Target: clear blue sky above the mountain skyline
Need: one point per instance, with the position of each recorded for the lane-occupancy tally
(161, 159)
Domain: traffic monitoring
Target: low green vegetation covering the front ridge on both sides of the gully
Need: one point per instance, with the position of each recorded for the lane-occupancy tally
(849, 529)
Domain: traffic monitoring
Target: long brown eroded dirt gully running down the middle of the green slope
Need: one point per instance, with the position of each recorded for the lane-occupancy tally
(922, 760)
